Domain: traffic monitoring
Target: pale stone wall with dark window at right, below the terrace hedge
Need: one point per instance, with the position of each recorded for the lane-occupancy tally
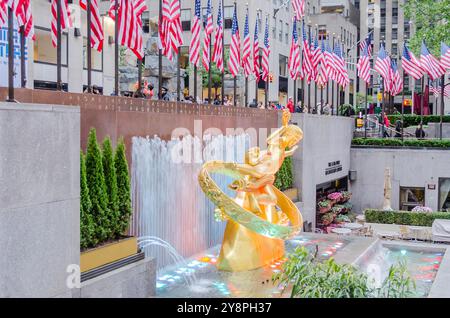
(409, 168)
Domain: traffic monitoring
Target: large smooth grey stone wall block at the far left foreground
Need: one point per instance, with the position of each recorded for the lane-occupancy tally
(39, 198)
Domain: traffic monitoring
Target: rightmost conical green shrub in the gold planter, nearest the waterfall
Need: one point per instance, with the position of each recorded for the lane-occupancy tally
(123, 186)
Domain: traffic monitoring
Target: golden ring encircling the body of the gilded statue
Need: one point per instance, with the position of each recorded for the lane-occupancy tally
(242, 216)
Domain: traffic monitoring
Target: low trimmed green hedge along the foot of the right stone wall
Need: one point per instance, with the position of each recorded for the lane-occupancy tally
(404, 217)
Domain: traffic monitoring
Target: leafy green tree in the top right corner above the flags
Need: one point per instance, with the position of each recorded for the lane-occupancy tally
(430, 18)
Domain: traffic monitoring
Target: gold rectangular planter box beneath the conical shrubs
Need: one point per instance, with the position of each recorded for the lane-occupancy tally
(108, 253)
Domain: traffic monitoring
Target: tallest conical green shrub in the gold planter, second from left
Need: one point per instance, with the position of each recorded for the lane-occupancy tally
(97, 187)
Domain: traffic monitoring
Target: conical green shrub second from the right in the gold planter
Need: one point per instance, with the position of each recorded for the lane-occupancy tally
(109, 170)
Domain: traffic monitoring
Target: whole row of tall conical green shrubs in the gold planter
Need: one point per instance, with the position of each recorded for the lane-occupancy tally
(105, 203)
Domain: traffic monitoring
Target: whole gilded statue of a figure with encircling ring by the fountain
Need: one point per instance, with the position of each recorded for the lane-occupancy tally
(261, 217)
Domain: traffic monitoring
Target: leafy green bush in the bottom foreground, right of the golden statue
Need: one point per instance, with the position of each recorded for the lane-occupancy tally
(311, 279)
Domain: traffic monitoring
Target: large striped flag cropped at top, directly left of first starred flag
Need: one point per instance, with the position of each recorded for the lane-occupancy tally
(170, 32)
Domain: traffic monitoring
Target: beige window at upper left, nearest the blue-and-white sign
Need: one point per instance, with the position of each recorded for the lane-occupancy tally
(44, 52)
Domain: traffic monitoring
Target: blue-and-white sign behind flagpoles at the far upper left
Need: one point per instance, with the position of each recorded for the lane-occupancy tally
(4, 53)
